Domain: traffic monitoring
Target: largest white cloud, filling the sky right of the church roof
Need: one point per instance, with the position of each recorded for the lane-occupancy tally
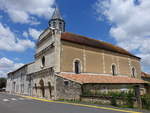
(131, 26)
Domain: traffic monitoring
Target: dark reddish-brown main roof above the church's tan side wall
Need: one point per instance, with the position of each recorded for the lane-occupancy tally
(94, 43)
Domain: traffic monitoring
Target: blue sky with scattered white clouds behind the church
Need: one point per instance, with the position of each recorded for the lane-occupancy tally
(124, 23)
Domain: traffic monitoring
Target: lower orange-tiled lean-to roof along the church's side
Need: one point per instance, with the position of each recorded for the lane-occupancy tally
(104, 79)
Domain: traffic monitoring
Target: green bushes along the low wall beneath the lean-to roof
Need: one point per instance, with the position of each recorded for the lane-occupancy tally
(122, 99)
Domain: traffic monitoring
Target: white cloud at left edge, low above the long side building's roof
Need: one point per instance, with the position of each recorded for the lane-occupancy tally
(7, 65)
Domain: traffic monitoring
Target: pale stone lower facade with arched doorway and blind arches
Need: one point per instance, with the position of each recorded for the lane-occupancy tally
(48, 84)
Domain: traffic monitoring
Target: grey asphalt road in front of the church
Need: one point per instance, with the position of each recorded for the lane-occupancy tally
(16, 104)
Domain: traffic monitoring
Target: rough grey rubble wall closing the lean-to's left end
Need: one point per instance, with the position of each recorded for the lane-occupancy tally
(67, 89)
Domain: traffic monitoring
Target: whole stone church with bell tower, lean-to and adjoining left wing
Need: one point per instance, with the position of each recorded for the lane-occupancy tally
(67, 65)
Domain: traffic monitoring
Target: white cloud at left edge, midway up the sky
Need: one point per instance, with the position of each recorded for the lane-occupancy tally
(9, 41)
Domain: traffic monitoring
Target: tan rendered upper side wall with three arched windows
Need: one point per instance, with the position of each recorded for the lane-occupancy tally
(96, 60)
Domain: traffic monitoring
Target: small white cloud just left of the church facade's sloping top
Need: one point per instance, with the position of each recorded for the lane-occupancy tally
(34, 33)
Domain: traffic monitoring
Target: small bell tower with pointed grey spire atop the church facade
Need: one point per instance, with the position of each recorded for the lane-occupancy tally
(57, 21)
